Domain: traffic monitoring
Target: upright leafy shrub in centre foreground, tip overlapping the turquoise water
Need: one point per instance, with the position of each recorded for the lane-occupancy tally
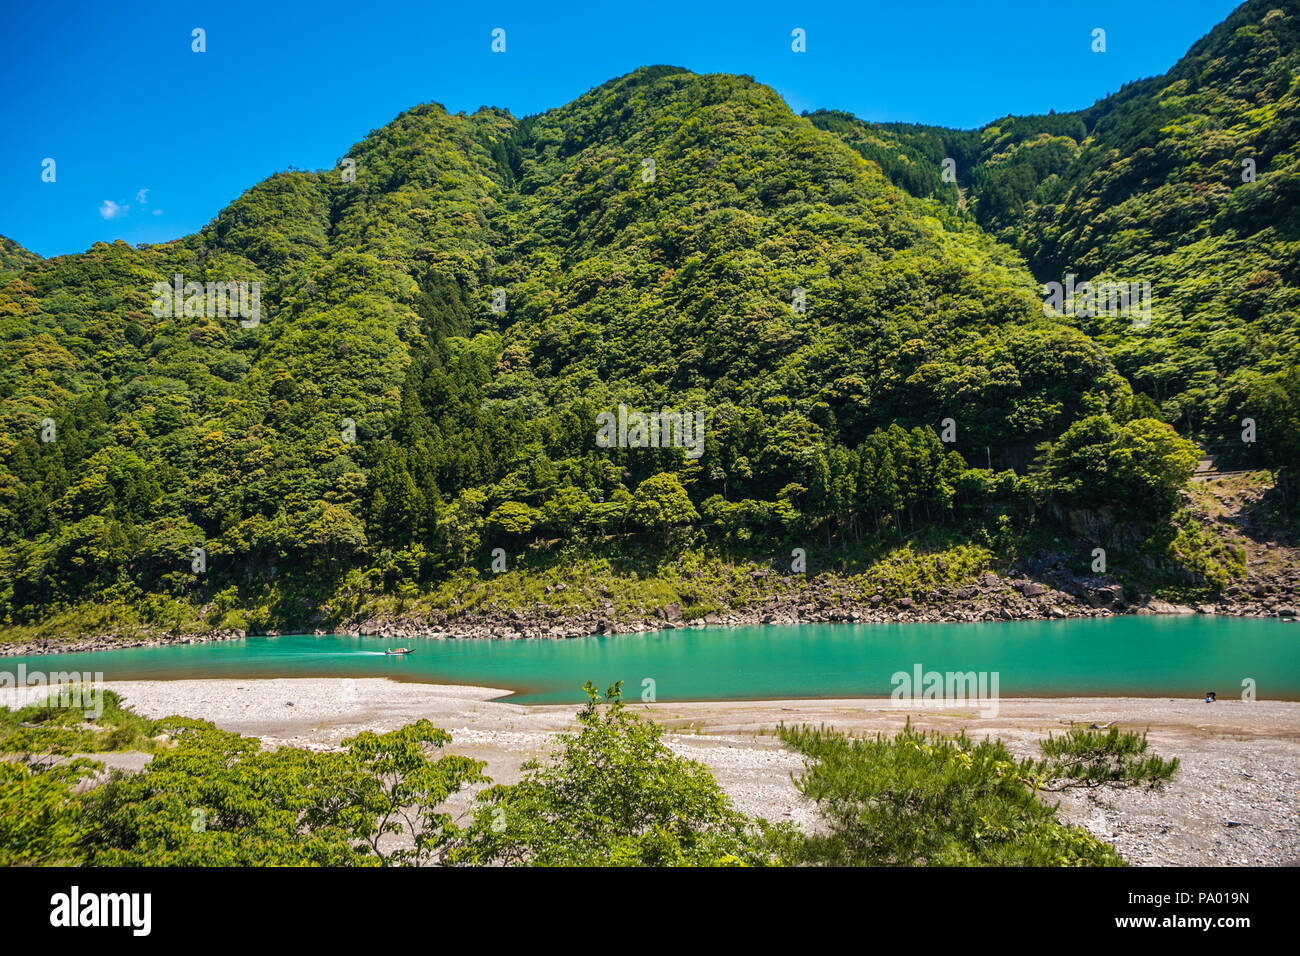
(613, 795)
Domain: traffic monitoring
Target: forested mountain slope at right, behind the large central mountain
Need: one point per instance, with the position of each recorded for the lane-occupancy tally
(1189, 181)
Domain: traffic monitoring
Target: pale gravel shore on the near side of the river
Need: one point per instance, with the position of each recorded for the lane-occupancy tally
(1236, 802)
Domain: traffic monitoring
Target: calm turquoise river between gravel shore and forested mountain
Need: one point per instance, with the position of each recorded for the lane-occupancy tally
(1126, 656)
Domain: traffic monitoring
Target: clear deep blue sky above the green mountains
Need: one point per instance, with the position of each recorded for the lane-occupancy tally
(151, 140)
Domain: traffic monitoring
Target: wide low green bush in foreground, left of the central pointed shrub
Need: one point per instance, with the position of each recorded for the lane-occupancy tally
(216, 799)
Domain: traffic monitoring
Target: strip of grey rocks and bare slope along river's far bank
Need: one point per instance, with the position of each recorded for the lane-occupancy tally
(1232, 511)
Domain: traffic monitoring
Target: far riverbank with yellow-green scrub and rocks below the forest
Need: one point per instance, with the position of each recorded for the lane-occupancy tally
(1230, 547)
